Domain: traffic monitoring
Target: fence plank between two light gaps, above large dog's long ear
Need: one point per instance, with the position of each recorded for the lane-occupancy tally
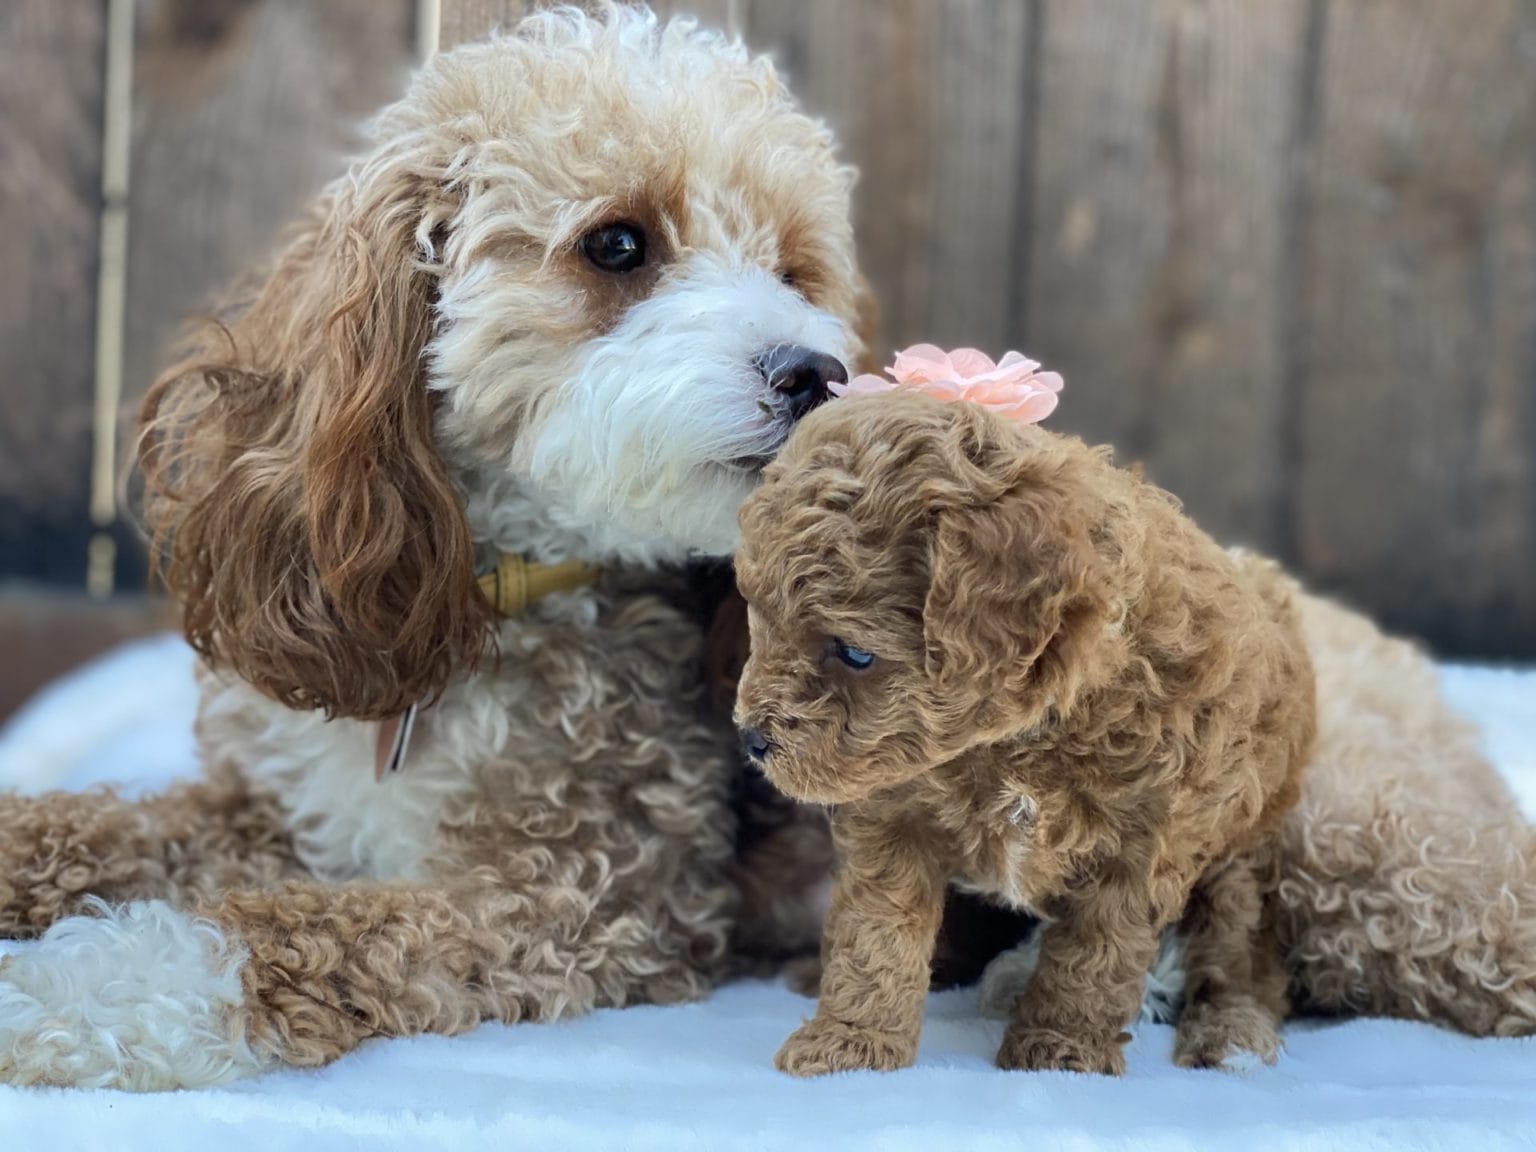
(242, 111)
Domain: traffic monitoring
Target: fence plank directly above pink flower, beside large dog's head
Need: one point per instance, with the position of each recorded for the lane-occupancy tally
(929, 110)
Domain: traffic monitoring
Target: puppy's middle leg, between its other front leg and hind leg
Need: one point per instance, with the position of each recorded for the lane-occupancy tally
(1088, 987)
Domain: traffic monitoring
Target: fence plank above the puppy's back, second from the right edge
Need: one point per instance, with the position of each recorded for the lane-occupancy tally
(1157, 245)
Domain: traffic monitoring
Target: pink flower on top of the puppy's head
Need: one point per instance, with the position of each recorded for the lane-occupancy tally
(1013, 386)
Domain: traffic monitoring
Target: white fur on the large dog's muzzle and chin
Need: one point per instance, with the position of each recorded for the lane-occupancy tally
(661, 428)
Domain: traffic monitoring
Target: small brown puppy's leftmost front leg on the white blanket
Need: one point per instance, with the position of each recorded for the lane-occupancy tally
(876, 953)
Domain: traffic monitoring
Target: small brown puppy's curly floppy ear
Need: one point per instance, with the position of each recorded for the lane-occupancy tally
(1018, 592)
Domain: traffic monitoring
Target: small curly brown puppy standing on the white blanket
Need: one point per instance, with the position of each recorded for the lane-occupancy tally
(1005, 663)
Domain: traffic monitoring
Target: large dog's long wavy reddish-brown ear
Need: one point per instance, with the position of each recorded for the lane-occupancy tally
(293, 491)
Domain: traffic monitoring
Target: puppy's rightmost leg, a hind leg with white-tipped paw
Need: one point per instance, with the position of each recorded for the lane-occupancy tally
(1236, 987)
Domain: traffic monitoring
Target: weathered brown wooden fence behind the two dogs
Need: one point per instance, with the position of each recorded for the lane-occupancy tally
(1285, 251)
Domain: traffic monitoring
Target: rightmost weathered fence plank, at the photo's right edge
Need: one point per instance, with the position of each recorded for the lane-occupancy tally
(1417, 489)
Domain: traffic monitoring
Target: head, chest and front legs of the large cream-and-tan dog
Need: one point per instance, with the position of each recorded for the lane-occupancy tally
(566, 306)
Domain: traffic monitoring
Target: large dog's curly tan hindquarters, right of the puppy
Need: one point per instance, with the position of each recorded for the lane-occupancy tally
(1408, 873)
